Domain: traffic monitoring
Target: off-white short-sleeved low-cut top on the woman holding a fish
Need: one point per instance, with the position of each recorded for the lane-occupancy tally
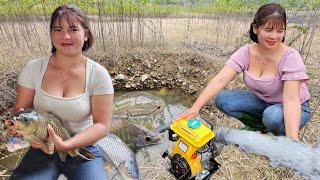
(75, 111)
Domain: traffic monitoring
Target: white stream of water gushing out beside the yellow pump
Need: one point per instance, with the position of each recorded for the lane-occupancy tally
(281, 151)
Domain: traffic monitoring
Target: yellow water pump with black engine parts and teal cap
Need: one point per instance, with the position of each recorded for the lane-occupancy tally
(193, 153)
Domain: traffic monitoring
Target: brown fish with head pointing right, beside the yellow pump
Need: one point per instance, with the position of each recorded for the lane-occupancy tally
(134, 135)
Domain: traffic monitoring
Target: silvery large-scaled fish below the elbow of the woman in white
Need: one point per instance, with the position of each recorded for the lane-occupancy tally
(121, 158)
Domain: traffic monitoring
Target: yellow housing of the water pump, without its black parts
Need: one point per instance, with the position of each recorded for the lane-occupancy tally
(189, 141)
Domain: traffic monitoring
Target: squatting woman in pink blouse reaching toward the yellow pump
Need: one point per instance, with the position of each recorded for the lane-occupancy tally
(275, 74)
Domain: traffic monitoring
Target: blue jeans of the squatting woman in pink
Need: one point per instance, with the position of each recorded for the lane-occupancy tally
(238, 103)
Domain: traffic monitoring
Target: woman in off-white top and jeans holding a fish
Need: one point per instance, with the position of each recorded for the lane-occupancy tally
(73, 87)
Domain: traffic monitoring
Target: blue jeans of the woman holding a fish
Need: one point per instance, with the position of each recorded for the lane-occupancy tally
(37, 165)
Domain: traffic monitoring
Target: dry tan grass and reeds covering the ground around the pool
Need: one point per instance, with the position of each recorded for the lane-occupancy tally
(213, 38)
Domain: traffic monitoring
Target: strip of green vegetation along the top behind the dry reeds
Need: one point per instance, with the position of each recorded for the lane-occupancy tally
(41, 7)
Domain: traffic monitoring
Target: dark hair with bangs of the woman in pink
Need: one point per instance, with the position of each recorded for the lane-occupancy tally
(272, 13)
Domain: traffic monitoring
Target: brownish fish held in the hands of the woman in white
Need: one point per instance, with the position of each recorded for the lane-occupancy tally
(33, 126)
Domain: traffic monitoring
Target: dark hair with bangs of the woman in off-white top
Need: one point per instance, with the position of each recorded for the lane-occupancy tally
(72, 14)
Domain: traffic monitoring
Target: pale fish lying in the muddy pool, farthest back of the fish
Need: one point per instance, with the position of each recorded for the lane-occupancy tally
(135, 104)
